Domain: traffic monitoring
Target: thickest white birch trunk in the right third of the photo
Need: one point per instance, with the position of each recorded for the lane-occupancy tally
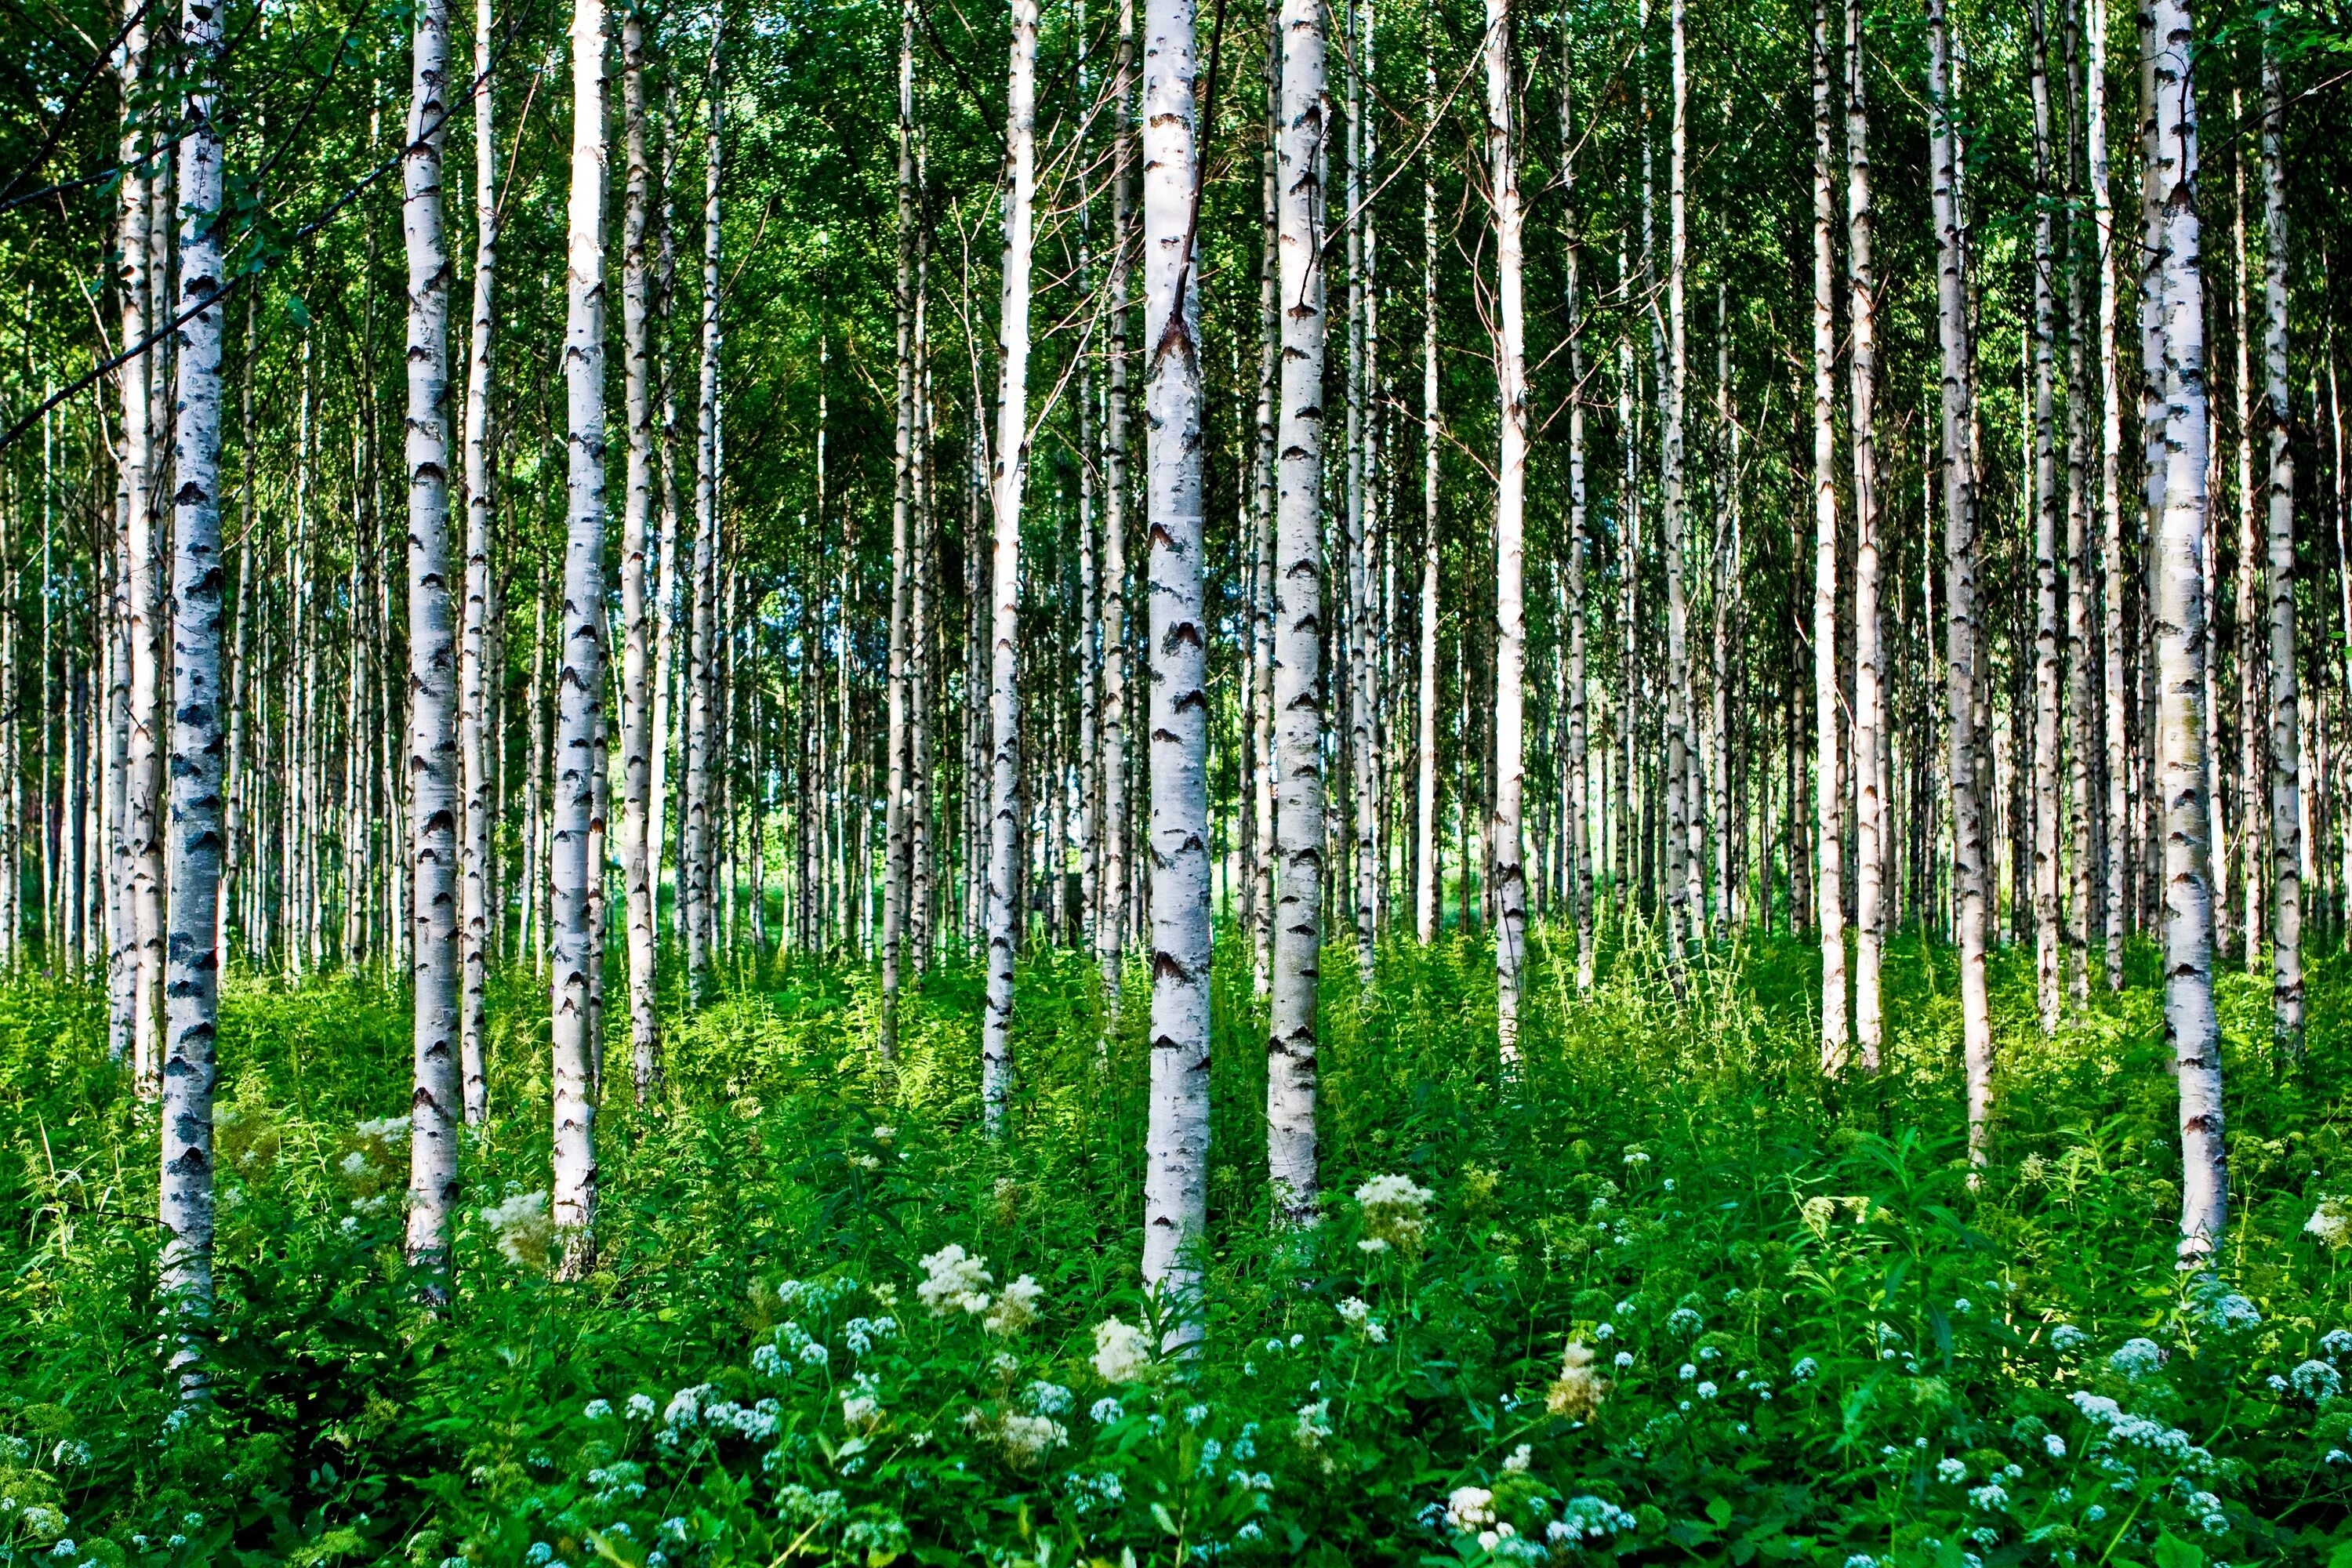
(2191, 1024)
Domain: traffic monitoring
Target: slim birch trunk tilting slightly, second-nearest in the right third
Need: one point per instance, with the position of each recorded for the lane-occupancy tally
(1960, 554)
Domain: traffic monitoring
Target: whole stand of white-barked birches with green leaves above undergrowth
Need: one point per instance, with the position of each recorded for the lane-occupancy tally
(1109, 478)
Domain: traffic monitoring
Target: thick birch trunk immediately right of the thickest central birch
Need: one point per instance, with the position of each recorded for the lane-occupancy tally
(1302, 123)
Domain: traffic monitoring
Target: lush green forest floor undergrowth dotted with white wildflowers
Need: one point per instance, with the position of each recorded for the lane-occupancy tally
(1664, 1294)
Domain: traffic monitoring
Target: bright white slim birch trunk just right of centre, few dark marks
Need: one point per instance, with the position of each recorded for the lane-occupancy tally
(1509, 537)
